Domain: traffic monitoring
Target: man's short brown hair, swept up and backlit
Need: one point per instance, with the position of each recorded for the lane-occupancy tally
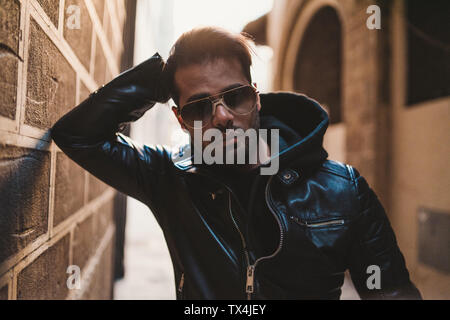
(206, 44)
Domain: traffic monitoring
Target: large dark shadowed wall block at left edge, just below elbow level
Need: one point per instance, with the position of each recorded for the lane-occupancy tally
(24, 186)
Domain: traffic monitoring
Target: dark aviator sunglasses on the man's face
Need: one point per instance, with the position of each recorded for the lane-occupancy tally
(239, 101)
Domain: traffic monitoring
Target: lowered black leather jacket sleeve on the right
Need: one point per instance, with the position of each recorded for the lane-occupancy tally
(375, 245)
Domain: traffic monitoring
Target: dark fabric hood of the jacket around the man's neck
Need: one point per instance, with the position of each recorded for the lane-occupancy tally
(302, 123)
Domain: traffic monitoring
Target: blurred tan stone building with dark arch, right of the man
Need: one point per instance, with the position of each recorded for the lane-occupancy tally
(388, 95)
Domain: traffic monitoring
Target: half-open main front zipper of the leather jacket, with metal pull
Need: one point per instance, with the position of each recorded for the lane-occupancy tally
(249, 287)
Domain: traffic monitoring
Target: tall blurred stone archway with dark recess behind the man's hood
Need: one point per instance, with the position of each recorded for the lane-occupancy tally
(313, 66)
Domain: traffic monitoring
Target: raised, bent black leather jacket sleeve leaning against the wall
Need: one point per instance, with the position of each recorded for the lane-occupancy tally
(89, 134)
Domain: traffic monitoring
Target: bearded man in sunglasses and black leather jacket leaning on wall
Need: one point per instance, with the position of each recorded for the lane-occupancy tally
(232, 231)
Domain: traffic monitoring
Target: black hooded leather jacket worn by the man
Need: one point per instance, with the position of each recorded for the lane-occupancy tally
(318, 217)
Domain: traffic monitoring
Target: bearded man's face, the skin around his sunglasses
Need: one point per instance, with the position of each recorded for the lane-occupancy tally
(209, 78)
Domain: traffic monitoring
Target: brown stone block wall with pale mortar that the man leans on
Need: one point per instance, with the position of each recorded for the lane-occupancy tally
(53, 213)
